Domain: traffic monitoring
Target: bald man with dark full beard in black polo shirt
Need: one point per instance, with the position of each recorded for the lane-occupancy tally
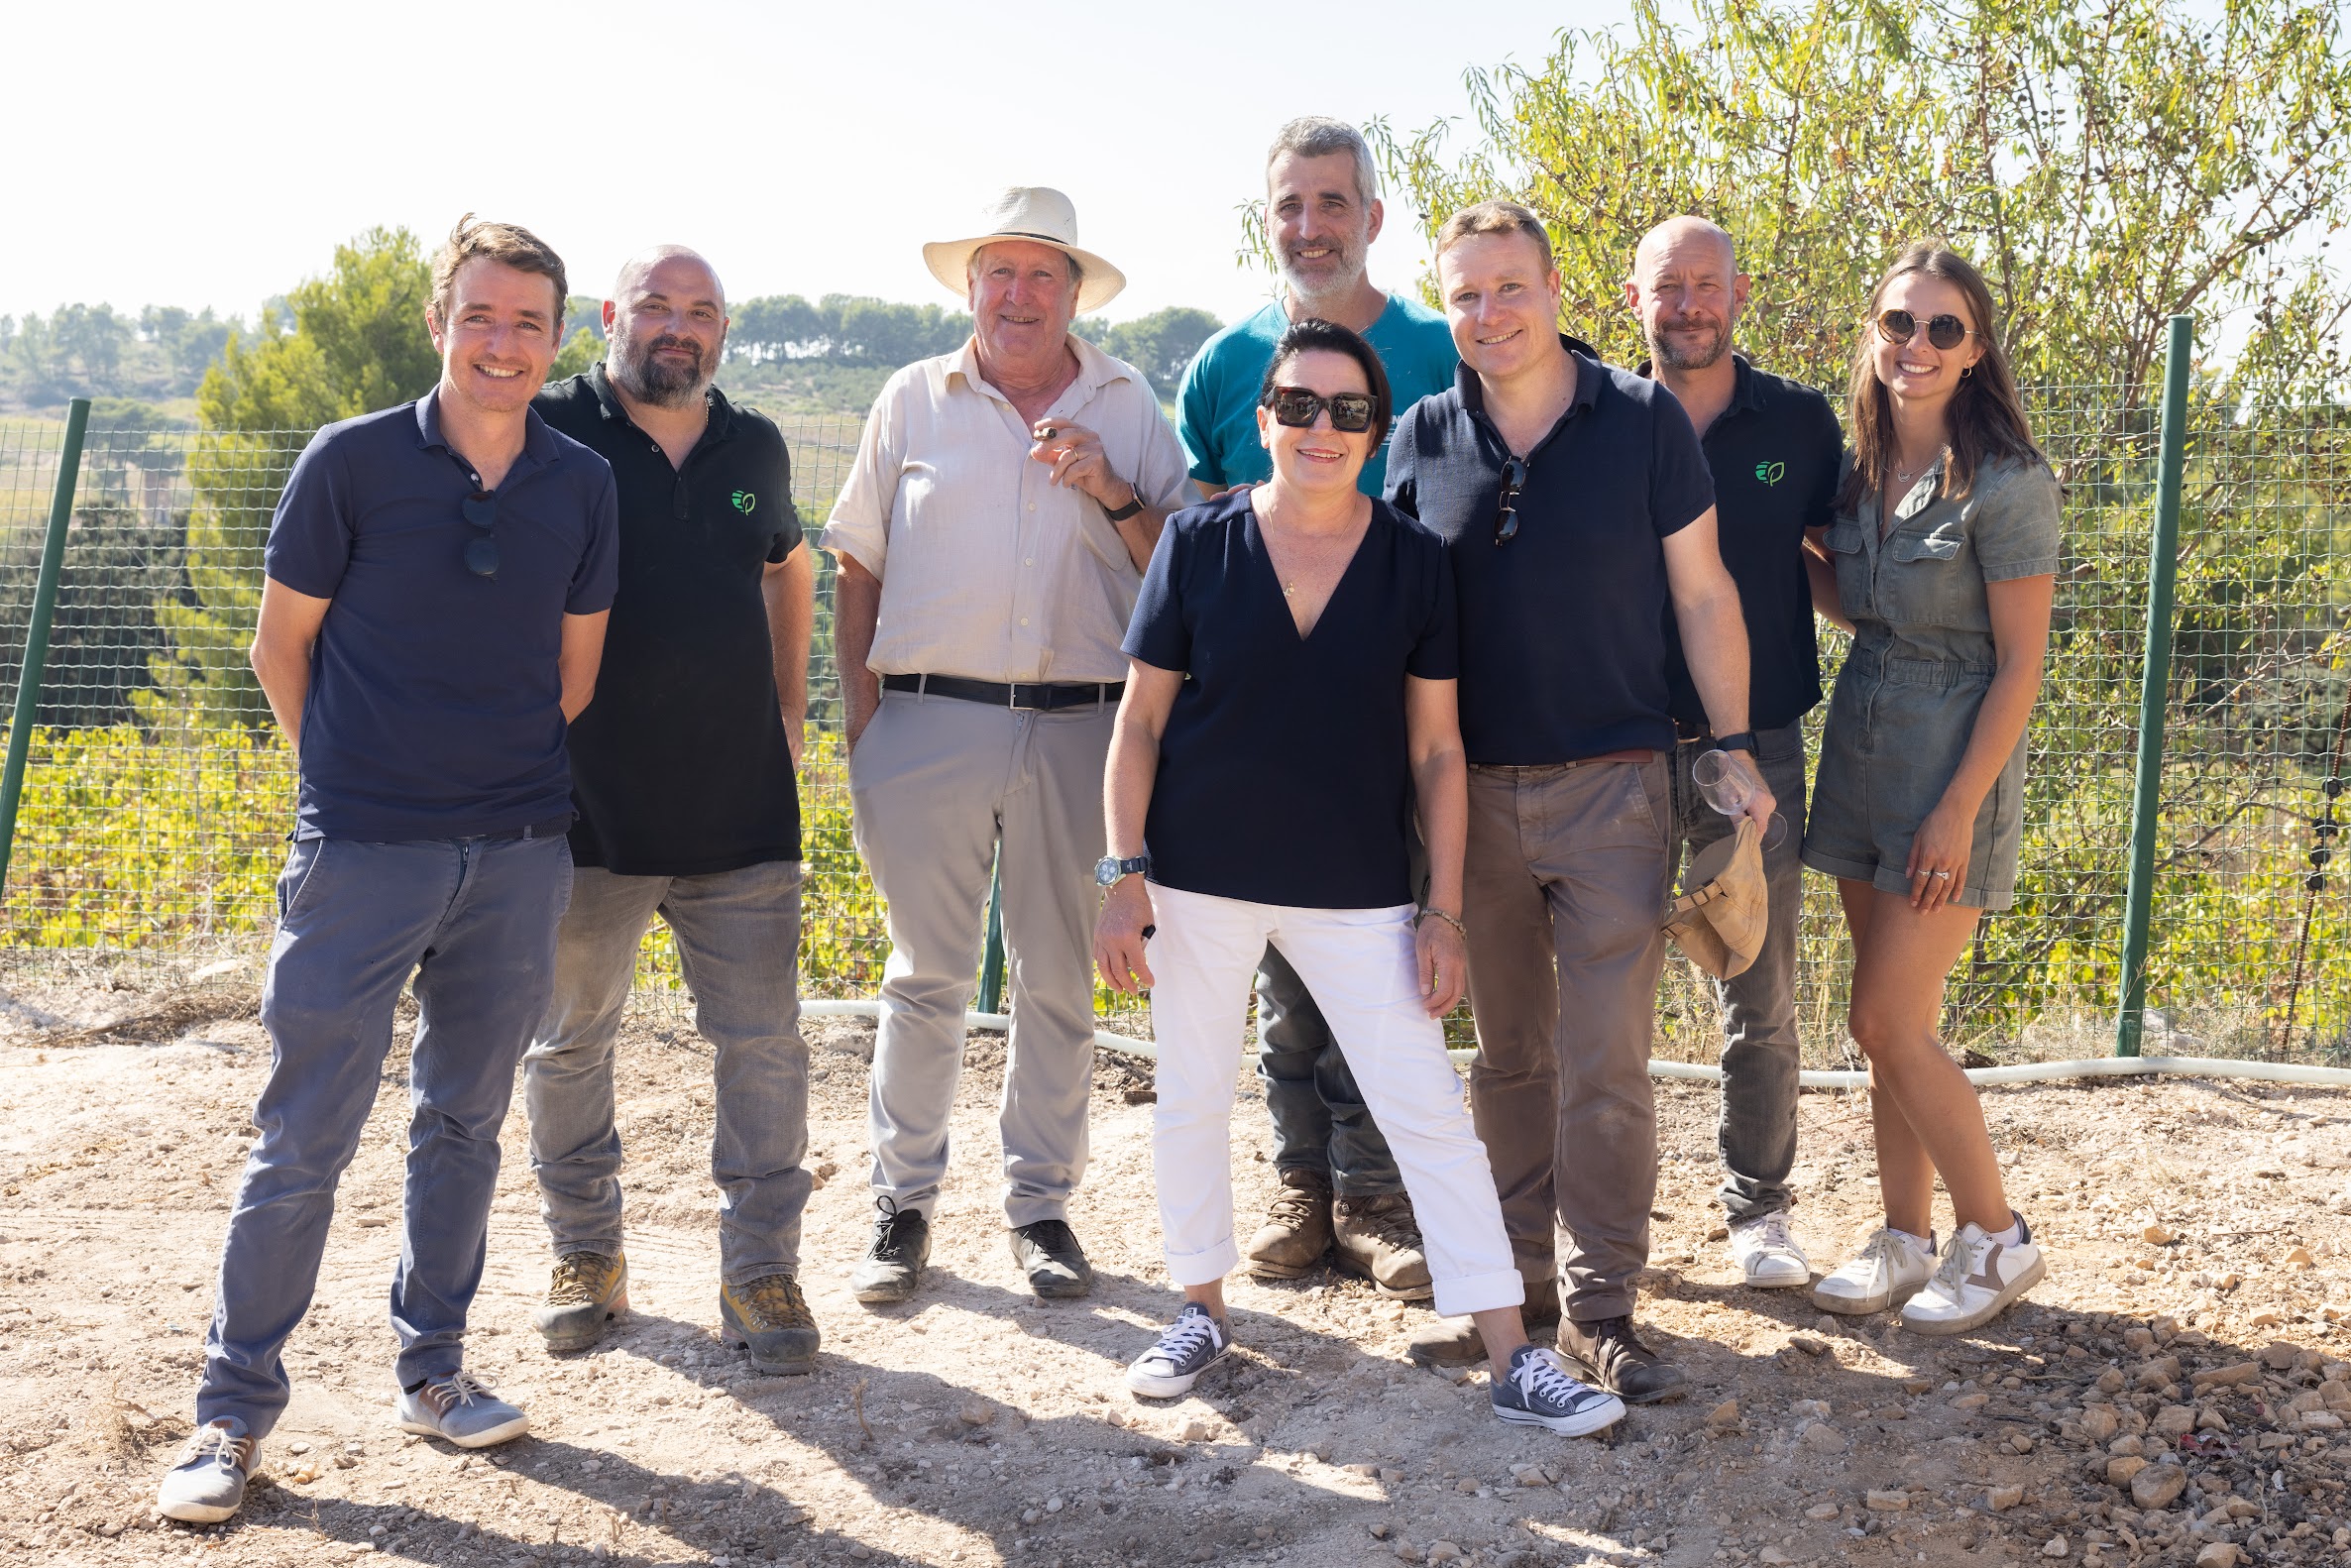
(688, 810)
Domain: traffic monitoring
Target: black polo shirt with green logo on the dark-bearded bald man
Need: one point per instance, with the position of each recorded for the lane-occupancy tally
(681, 765)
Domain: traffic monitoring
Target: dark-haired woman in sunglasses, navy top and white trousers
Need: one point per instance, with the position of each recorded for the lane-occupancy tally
(1290, 699)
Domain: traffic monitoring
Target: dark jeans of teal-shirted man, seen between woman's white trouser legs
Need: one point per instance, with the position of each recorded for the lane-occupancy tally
(1320, 1118)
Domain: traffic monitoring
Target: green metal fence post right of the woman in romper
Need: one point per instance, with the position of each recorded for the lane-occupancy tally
(2155, 688)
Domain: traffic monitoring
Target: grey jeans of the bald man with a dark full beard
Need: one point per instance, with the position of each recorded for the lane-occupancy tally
(739, 946)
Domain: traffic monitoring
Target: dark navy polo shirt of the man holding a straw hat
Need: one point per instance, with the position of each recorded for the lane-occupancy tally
(1565, 626)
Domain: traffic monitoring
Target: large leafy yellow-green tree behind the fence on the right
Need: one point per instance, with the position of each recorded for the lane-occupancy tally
(2108, 163)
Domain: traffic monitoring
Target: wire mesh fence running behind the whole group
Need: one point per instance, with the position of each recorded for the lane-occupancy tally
(159, 798)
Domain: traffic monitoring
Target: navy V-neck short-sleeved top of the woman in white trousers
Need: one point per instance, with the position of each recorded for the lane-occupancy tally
(1282, 770)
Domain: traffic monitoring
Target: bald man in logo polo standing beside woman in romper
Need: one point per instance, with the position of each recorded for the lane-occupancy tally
(1774, 448)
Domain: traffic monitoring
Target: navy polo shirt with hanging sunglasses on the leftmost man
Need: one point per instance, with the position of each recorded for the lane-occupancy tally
(436, 695)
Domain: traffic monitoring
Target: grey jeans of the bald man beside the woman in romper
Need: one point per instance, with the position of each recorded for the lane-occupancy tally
(1762, 1054)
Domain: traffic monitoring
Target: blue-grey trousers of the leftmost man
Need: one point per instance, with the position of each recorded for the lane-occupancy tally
(474, 920)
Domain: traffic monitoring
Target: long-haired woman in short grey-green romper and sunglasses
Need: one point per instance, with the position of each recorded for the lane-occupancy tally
(1945, 551)
